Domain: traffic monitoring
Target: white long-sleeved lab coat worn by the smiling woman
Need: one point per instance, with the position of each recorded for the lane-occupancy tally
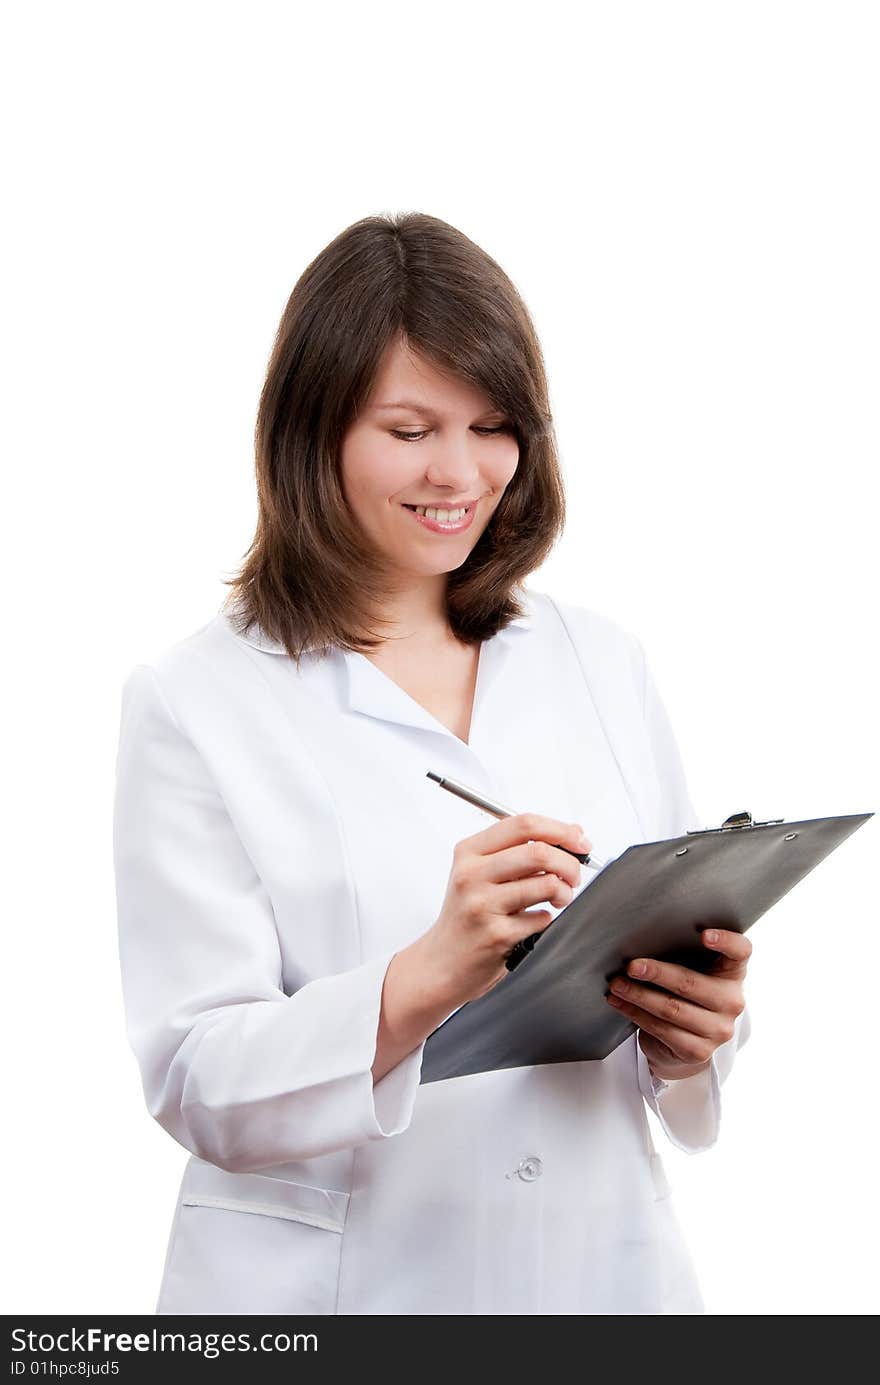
(276, 841)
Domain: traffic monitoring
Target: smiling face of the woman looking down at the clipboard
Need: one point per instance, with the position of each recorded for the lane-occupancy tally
(426, 440)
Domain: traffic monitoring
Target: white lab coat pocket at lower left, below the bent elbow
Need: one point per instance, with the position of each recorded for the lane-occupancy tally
(247, 1243)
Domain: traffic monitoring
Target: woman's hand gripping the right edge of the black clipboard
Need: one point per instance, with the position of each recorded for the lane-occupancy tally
(683, 1024)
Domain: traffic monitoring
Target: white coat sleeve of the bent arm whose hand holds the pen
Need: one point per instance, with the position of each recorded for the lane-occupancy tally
(236, 1070)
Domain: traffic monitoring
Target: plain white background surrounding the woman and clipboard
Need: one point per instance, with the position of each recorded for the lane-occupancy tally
(687, 197)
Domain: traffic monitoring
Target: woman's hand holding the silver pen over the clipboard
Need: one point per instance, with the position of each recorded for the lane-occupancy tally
(493, 882)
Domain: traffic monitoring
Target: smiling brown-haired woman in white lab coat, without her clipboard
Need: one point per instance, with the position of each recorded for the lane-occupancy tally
(300, 906)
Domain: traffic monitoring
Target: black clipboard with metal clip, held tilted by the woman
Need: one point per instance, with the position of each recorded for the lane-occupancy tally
(653, 901)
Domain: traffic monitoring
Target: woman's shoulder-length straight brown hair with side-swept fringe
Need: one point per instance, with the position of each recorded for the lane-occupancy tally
(311, 580)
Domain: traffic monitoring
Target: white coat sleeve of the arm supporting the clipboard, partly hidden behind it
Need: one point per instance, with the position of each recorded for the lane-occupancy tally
(689, 1109)
